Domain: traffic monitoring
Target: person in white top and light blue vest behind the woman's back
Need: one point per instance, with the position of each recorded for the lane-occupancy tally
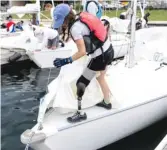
(93, 7)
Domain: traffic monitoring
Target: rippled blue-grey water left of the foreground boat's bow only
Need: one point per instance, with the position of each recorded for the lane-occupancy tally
(21, 88)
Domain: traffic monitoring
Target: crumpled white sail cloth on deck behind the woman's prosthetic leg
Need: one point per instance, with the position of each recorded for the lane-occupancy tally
(66, 92)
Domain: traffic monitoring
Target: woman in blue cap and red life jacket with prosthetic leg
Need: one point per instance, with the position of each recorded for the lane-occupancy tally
(86, 29)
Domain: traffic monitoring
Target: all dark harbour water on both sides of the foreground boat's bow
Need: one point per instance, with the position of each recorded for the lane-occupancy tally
(20, 90)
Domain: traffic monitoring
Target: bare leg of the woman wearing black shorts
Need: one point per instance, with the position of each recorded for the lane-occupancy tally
(104, 86)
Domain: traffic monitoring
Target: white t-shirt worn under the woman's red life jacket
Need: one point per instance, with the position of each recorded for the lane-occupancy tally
(78, 30)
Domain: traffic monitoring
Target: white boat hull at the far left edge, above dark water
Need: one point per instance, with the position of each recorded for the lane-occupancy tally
(18, 42)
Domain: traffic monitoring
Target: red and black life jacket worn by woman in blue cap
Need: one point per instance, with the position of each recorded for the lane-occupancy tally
(98, 33)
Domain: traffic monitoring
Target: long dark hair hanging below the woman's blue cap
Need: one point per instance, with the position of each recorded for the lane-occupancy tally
(69, 20)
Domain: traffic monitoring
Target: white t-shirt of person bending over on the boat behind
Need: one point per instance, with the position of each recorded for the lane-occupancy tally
(44, 34)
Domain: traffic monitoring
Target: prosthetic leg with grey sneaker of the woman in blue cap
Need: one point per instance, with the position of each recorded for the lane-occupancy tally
(79, 116)
